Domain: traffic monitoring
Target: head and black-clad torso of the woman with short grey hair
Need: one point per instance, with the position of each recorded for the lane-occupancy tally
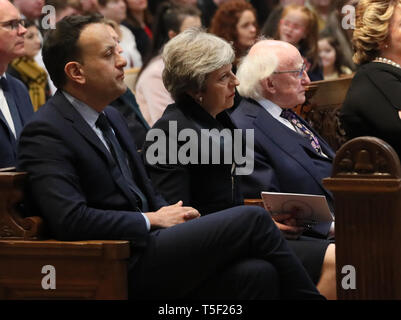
(199, 78)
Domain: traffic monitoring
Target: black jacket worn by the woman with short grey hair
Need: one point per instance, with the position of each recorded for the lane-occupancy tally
(206, 187)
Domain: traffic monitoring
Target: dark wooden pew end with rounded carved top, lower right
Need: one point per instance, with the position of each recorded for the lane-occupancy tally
(366, 183)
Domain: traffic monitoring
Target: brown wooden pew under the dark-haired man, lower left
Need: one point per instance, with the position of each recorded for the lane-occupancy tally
(81, 269)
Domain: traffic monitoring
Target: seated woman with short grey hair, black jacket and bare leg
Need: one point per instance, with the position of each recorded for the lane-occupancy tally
(196, 166)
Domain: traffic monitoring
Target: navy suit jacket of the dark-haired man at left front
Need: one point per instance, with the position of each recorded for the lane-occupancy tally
(74, 181)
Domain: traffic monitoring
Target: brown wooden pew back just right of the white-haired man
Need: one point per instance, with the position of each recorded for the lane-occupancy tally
(322, 106)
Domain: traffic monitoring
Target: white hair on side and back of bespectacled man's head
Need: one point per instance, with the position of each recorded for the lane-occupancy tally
(252, 70)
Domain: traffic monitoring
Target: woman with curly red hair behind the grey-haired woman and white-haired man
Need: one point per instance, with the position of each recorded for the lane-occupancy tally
(235, 21)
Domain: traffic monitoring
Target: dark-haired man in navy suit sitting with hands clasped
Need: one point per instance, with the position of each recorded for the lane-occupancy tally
(88, 182)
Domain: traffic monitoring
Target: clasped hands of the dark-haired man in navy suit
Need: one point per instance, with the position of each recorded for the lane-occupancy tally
(169, 216)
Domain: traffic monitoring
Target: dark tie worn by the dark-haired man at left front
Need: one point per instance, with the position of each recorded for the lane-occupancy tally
(115, 148)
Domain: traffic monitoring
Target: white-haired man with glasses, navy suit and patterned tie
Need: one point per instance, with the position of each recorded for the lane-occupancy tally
(289, 155)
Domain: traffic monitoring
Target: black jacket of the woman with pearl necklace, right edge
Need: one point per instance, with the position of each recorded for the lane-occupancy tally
(372, 104)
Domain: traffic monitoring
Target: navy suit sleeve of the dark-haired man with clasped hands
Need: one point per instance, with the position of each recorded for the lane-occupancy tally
(55, 188)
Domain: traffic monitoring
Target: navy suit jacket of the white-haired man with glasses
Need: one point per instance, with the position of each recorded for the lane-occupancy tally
(284, 160)
